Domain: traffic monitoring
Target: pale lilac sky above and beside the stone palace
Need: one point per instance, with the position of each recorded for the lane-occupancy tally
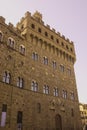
(69, 17)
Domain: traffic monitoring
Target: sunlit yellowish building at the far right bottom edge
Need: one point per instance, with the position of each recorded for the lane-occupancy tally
(83, 113)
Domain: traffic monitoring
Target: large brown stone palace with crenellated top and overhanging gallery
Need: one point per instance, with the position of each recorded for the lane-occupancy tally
(37, 80)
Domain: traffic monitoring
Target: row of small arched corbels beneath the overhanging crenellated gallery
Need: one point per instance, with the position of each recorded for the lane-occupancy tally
(51, 48)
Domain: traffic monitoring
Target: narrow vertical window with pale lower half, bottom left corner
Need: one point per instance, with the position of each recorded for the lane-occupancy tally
(3, 115)
